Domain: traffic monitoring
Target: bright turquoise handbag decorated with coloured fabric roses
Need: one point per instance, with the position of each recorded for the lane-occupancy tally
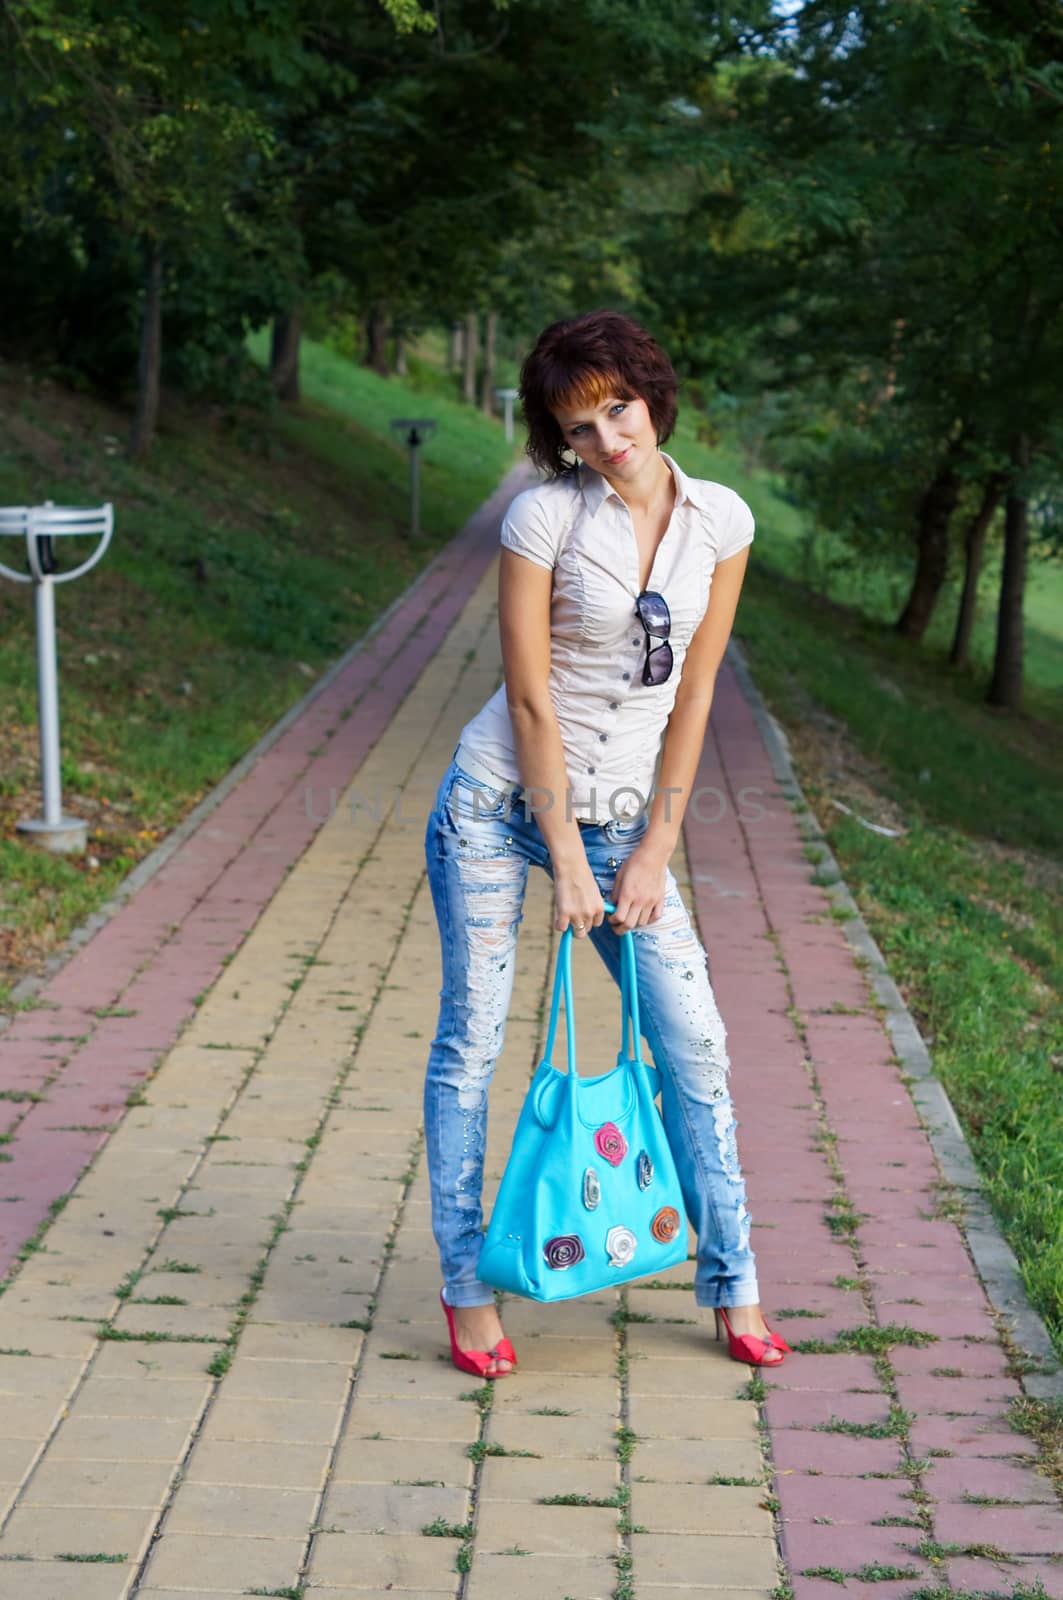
(590, 1198)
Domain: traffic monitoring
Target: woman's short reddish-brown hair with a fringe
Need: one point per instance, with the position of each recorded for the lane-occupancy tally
(584, 359)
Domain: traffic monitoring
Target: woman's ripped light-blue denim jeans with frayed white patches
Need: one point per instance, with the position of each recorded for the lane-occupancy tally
(479, 844)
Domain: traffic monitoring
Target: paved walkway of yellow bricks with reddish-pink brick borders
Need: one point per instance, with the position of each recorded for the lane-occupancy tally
(222, 1364)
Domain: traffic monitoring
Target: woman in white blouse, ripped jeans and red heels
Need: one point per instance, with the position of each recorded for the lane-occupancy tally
(619, 586)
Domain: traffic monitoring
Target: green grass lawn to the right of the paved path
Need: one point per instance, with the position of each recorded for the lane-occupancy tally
(966, 905)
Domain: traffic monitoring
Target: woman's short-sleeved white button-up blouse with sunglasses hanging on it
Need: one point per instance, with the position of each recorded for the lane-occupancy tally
(612, 726)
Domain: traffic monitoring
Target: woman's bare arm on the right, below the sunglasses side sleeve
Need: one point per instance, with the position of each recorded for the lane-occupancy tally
(640, 890)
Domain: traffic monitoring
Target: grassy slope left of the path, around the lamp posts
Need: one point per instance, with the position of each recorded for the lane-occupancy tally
(251, 551)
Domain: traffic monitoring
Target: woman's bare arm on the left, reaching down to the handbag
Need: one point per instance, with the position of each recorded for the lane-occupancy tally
(524, 620)
